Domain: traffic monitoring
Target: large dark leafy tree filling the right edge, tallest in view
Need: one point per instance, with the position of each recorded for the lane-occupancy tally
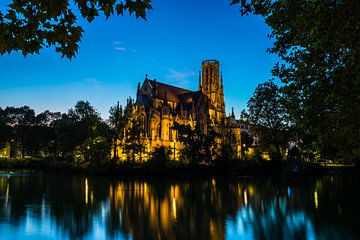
(318, 43)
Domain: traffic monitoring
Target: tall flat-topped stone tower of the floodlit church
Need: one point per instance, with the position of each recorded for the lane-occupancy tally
(211, 84)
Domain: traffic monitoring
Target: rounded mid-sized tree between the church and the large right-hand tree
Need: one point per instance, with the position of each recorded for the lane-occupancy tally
(269, 118)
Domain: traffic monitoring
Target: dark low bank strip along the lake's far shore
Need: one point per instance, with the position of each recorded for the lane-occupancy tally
(171, 169)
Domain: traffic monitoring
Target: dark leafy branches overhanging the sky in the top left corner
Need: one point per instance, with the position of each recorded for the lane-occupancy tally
(28, 26)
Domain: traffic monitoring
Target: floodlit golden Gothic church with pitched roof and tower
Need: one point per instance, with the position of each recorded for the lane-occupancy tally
(159, 106)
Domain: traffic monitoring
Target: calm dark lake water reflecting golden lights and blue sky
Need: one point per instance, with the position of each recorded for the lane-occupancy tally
(42, 206)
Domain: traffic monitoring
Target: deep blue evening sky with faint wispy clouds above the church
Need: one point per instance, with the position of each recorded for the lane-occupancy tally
(116, 54)
